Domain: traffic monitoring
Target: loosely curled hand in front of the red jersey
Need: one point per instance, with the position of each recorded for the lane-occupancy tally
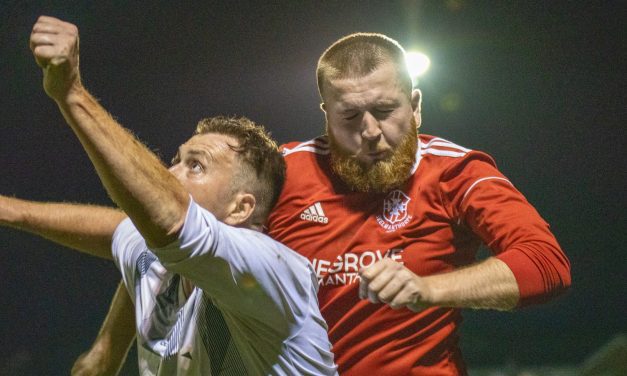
(388, 281)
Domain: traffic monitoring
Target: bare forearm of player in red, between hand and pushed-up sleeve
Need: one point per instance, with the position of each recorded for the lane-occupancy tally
(489, 284)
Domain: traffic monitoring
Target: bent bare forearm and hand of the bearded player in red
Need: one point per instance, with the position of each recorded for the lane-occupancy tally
(488, 284)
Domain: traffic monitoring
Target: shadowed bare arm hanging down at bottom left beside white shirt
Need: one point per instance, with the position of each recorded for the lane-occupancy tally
(108, 353)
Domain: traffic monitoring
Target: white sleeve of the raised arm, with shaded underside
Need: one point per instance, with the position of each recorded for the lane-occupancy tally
(241, 269)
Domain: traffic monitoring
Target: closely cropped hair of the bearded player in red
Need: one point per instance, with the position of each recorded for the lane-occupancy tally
(359, 54)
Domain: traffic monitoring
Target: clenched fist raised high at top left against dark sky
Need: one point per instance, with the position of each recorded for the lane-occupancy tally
(55, 46)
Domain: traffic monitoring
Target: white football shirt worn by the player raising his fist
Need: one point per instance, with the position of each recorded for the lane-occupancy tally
(265, 292)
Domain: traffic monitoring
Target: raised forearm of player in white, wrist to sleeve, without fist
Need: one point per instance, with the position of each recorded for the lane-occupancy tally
(133, 176)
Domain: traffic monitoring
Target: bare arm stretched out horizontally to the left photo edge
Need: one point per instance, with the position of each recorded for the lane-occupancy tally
(86, 228)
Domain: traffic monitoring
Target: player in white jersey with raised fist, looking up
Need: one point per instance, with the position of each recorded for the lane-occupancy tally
(212, 295)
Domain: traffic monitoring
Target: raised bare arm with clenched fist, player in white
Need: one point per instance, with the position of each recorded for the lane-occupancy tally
(132, 175)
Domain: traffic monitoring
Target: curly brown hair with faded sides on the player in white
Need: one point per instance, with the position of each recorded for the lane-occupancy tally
(262, 171)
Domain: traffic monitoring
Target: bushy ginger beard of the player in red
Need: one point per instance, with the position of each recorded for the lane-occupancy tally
(383, 175)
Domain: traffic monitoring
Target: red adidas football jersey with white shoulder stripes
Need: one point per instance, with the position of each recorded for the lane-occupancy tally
(454, 200)
